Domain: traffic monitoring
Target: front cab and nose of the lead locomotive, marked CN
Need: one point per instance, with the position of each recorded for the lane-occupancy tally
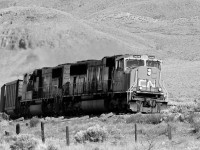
(145, 90)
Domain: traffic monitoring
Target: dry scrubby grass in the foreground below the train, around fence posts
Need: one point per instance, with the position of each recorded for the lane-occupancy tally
(120, 135)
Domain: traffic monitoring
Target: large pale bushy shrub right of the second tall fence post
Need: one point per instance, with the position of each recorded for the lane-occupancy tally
(92, 134)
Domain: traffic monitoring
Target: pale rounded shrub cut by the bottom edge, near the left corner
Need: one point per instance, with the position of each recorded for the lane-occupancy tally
(24, 142)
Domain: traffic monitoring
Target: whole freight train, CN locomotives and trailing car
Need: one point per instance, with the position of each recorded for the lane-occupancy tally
(119, 83)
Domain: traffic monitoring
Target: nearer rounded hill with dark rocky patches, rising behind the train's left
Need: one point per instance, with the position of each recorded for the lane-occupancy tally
(27, 42)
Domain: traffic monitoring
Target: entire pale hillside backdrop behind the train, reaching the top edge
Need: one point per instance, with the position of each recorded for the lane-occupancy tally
(36, 33)
